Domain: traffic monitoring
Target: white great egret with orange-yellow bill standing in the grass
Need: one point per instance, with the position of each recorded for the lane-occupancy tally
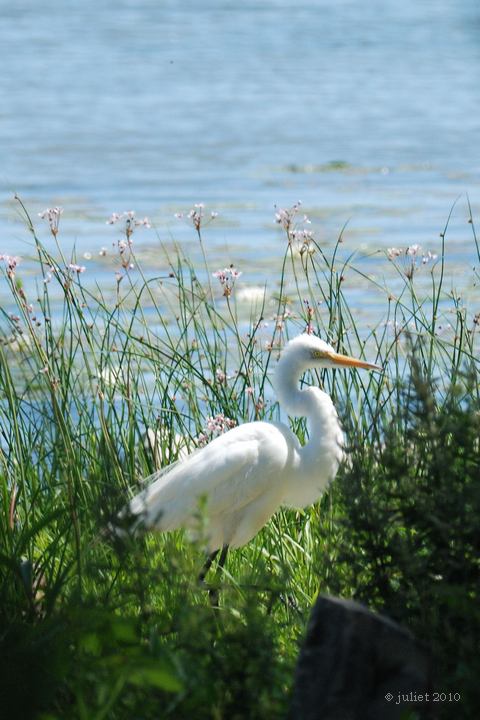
(248, 473)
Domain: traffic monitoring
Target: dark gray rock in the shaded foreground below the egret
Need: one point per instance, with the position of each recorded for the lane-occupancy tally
(351, 660)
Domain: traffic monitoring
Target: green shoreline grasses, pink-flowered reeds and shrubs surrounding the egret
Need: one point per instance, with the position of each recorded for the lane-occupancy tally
(100, 386)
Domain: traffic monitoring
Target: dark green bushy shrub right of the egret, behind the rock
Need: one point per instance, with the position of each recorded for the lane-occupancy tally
(407, 515)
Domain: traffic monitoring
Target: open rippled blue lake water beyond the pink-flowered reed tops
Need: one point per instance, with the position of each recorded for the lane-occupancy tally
(367, 112)
